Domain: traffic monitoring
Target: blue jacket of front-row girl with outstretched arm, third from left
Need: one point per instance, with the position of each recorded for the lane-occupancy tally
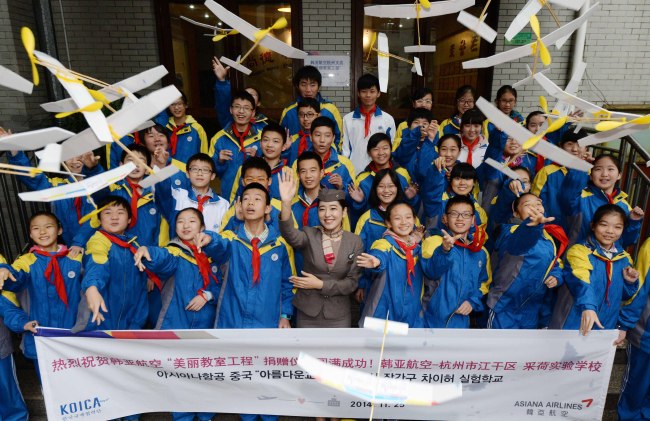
(177, 266)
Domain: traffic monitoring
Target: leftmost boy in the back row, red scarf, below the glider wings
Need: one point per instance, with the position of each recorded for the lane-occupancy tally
(186, 136)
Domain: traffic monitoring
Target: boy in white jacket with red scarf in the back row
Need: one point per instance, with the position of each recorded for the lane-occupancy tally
(366, 120)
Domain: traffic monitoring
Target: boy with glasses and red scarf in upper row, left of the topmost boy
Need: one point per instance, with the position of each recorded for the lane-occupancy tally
(234, 144)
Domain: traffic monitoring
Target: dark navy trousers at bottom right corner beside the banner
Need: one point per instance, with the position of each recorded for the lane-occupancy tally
(634, 402)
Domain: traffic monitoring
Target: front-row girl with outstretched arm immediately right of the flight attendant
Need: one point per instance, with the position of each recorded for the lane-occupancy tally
(396, 291)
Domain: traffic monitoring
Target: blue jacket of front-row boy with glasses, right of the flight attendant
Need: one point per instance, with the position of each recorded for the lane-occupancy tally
(453, 277)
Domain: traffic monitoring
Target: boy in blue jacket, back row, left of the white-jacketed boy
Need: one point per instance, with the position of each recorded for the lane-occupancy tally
(307, 82)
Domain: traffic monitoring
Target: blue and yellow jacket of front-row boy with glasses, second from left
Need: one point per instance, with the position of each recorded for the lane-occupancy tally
(110, 268)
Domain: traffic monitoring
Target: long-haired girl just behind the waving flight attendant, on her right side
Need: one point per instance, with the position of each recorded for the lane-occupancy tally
(386, 188)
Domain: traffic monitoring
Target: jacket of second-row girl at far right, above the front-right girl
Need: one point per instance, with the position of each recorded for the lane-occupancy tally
(580, 205)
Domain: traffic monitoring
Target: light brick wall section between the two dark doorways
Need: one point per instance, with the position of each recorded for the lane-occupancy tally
(331, 36)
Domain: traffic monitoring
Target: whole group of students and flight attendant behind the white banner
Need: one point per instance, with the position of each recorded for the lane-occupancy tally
(316, 211)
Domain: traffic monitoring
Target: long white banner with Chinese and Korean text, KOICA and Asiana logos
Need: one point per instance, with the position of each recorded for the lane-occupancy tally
(505, 374)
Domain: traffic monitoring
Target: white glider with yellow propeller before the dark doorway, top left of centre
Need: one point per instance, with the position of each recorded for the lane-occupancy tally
(258, 36)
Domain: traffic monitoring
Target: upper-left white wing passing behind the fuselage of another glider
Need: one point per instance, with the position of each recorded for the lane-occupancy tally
(115, 91)
